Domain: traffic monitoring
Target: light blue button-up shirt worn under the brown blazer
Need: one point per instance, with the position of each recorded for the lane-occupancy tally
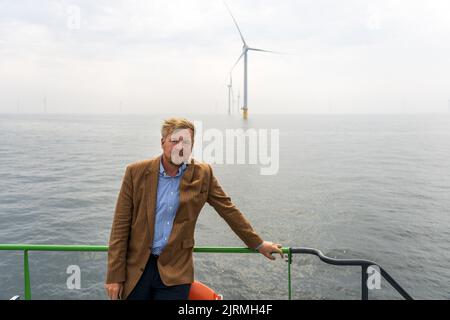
(167, 201)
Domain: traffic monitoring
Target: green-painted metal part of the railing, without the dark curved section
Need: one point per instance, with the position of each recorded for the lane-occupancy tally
(92, 248)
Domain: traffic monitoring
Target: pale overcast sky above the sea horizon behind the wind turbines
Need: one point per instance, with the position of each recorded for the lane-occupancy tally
(156, 56)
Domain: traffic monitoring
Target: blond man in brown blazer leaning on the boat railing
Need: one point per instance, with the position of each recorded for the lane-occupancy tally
(152, 235)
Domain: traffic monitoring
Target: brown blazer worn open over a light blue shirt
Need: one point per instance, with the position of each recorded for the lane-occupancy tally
(132, 230)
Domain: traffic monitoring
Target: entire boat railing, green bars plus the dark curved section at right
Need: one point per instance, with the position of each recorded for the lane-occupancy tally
(288, 252)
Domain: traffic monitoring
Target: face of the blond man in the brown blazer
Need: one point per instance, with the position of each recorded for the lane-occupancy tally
(177, 146)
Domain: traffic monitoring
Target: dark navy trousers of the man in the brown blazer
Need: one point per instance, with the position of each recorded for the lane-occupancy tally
(151, 287)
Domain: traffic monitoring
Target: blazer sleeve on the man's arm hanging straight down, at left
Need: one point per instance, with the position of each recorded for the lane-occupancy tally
(118, 241)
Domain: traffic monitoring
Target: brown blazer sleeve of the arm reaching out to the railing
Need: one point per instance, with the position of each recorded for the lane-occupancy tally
(221, 202)
